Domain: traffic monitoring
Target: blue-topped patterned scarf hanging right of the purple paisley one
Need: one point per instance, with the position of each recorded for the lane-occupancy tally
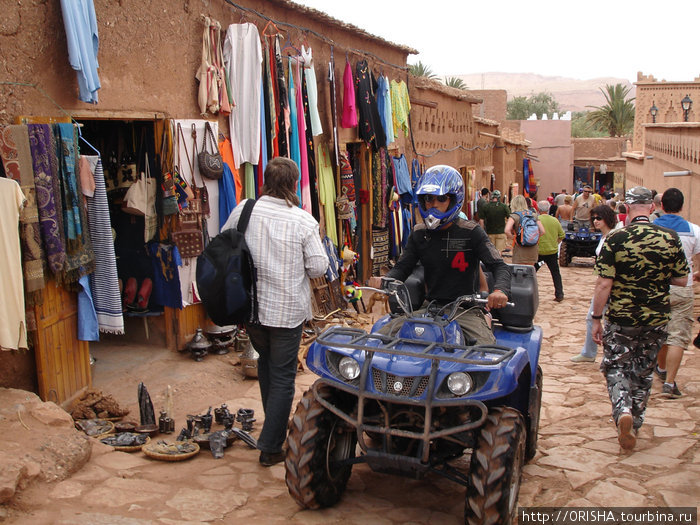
(80, 258)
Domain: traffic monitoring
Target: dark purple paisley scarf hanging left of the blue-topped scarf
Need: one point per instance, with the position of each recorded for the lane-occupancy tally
(44, 163)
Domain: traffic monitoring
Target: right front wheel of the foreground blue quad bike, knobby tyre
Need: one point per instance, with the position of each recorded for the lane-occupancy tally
(496, 468)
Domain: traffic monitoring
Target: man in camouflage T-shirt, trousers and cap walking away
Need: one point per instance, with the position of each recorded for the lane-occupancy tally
(635, 268)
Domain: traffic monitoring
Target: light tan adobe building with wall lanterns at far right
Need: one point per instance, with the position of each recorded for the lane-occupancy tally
(665, 151)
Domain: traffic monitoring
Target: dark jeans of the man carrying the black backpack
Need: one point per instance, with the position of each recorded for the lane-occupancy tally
(277, 369)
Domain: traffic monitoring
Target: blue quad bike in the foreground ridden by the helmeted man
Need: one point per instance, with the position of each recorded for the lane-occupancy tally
(413, 403)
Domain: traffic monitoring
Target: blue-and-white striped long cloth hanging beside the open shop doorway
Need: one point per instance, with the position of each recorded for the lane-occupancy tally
(104, 282)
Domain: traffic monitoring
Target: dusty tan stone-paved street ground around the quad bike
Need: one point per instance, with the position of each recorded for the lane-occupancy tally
(579, 462)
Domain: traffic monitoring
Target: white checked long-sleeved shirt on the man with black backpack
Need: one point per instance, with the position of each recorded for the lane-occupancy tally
(287, 250)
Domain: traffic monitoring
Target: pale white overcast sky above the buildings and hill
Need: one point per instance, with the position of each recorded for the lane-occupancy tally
(582, 40)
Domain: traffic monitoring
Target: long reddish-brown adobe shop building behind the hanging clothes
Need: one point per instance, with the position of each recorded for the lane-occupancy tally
(148, 56)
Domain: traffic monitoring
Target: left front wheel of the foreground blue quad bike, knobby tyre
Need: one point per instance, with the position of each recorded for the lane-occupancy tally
(317, 441)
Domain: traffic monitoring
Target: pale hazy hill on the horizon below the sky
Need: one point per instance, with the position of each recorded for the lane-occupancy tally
(571, 93)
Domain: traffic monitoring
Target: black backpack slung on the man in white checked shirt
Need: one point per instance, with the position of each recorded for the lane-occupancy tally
(226, 275)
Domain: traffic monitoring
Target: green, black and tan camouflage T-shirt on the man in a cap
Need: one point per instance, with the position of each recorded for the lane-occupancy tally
(641, 259)
